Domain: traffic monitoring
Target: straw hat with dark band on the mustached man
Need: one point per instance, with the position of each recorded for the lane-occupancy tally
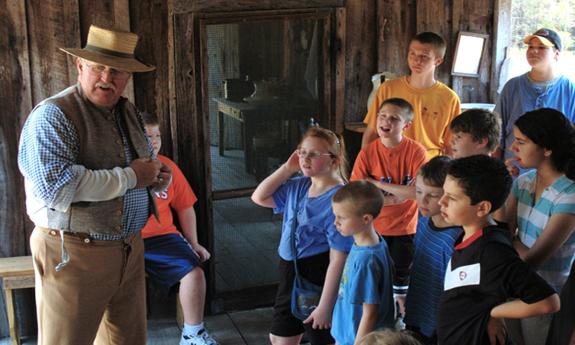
(111, 48)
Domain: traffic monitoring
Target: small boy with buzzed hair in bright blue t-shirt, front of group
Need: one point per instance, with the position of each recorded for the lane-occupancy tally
(365, 297)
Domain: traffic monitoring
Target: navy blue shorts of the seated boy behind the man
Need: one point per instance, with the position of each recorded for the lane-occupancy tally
(168, 259)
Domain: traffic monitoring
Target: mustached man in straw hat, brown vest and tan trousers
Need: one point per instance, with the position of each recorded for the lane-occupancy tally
(89, 174)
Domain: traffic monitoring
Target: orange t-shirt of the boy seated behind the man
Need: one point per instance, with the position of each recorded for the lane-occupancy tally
(178, 196)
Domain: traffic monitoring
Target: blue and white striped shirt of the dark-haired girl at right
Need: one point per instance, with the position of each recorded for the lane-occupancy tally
(532, 218)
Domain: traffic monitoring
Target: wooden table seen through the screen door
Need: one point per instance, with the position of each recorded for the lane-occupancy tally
(250, 114)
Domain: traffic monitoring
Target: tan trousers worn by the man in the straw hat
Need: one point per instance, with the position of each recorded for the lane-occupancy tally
(97, 298)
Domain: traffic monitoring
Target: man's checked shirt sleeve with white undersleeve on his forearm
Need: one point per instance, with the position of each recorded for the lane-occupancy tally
(47, 158)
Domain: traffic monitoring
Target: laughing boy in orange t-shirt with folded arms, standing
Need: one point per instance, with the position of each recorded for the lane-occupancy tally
(391, 164)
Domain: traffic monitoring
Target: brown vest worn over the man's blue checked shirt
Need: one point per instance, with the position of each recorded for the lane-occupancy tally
(100, 147)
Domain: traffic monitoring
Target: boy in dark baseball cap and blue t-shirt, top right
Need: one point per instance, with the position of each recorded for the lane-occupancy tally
(542, 87)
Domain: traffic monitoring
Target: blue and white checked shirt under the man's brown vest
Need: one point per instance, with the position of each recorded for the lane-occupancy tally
(48, 150)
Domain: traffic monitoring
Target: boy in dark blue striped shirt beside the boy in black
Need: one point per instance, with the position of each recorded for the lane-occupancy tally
(434, 241)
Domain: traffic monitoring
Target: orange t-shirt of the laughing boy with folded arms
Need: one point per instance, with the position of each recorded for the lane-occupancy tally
(398, 165)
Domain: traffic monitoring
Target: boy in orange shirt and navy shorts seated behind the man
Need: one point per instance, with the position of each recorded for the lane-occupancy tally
(172, 256)
